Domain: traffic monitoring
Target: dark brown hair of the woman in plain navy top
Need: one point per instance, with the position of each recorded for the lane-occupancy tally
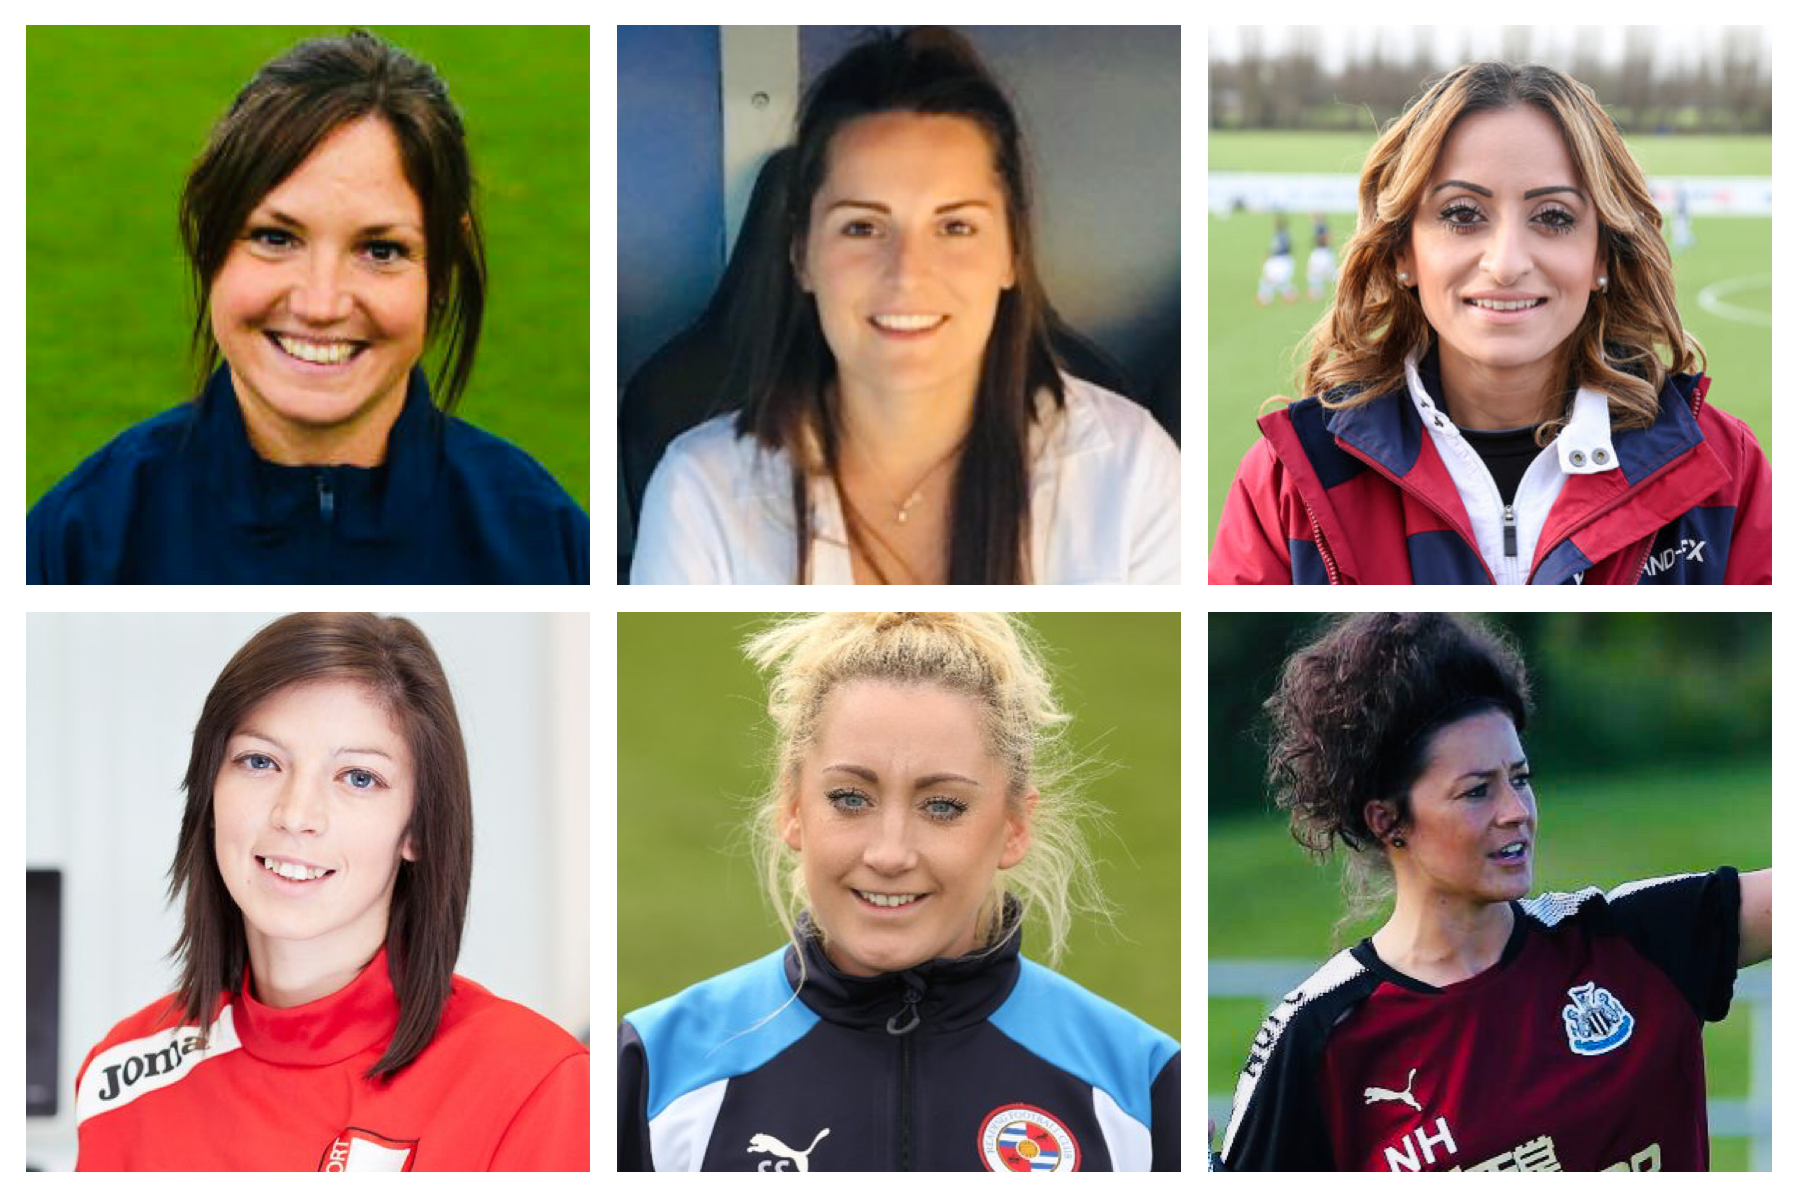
(282, 116)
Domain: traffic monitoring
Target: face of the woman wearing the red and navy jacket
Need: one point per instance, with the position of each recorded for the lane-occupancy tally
(1506, 244)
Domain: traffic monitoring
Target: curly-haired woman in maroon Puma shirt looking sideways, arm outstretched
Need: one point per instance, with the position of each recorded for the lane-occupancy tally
(1477, 1029)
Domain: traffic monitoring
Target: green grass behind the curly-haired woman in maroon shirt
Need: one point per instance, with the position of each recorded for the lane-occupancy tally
(1266, 899)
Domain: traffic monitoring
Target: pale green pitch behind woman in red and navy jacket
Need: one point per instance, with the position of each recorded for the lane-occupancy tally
(1252, 350)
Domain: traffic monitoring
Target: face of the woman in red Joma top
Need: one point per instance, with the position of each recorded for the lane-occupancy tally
(316, 779)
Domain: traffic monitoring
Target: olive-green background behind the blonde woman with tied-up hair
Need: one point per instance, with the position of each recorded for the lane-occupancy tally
(694, 739)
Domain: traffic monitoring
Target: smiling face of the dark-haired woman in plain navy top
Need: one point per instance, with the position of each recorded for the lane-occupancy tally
(321, 305)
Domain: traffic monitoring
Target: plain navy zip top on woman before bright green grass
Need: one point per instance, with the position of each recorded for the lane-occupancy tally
(184, 500)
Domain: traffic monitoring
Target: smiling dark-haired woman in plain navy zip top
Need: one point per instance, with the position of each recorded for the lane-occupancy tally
(332, 237)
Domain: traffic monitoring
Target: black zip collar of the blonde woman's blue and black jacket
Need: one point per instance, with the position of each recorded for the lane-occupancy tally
(935, 996)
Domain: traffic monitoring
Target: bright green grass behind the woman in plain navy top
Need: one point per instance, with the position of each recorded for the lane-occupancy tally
(118, 116)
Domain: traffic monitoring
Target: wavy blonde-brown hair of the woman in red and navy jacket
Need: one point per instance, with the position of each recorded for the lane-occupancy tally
(1360, 345)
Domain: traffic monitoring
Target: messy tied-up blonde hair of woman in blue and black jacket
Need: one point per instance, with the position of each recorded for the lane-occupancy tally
(985, 656)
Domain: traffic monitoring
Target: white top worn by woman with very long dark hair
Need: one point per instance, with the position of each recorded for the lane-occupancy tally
(1106, 505)
